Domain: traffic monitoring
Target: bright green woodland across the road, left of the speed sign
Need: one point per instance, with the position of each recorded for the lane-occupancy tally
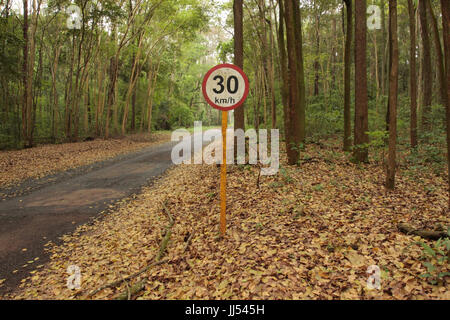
(100, 69)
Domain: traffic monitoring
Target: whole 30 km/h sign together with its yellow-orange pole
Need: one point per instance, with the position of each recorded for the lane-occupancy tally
(225, 87)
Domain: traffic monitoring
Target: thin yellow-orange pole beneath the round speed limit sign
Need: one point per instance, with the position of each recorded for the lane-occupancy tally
(223, 175)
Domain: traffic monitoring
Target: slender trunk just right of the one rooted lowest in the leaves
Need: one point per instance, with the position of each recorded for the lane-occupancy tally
(412, 75)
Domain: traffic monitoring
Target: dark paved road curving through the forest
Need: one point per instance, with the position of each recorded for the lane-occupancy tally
(29, 221)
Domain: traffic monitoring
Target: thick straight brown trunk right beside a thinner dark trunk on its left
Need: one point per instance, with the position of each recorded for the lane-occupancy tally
(361, 99)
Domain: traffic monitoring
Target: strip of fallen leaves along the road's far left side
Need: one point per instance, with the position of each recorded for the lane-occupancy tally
(18, 166)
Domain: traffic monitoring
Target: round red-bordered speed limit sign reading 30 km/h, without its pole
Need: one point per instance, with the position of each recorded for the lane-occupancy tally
(225, 87)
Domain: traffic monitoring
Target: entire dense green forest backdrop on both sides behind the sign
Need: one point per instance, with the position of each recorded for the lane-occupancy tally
(103, 69)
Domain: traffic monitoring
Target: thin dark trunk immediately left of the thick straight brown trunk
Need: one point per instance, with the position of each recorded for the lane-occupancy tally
(347, 74)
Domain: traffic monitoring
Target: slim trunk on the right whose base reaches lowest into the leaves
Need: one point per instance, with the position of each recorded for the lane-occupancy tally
(393, 93)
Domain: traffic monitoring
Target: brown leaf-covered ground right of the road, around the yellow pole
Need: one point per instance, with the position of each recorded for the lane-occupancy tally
(310, 232)
